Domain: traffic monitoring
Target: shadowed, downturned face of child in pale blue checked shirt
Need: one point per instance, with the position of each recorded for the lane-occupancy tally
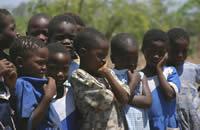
(126, 59)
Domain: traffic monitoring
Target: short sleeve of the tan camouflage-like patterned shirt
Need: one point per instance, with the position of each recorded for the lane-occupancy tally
(91, 94)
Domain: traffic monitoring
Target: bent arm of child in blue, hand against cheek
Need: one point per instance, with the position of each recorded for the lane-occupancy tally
(167, 89)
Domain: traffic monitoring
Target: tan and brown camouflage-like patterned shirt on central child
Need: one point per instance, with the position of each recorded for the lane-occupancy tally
(96, 102)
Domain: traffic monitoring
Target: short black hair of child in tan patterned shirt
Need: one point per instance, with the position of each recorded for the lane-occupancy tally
(88, 38)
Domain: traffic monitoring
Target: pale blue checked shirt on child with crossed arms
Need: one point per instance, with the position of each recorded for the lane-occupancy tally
(136, 118)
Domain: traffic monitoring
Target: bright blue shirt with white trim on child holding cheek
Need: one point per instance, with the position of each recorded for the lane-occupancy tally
(162, 113)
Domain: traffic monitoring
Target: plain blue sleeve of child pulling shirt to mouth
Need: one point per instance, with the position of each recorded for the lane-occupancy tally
(26, 100)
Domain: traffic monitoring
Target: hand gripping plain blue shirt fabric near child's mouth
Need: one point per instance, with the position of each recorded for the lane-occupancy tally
(50, 89)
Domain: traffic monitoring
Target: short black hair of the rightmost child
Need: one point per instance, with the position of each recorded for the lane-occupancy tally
(177, 33)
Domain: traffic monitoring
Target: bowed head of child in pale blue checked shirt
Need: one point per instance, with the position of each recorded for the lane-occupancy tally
(124, 51)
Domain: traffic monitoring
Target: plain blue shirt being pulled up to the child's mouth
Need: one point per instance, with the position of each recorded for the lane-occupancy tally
(29, 92)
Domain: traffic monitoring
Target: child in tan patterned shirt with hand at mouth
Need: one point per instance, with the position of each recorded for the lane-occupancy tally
(98, 93)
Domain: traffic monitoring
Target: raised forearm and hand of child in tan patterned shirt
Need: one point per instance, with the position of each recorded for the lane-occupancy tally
(119, 91)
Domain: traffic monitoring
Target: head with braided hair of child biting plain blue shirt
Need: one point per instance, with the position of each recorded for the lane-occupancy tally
(30, 56)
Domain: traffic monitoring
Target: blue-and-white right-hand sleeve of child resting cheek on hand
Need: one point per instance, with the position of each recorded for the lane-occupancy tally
(174, 80)
